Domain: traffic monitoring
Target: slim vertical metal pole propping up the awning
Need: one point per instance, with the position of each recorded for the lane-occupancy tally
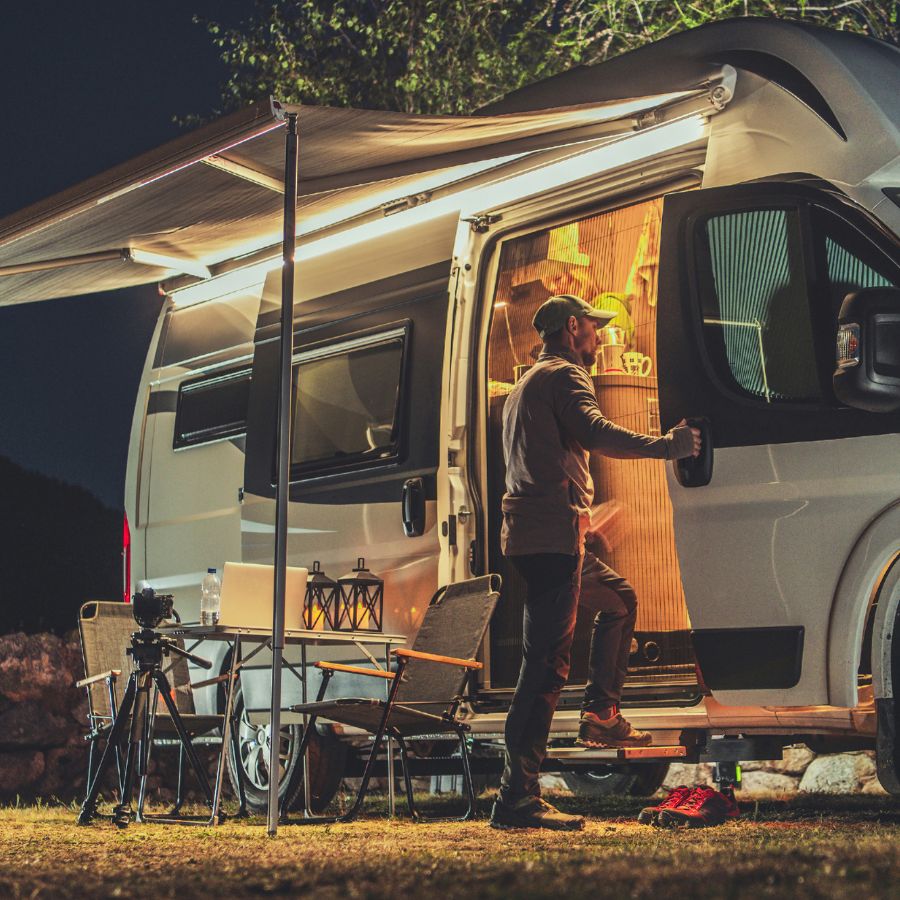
(282, 496)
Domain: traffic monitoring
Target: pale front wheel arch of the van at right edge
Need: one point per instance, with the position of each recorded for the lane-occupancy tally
(871, 563)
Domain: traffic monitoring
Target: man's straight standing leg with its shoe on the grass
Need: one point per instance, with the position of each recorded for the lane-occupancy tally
(548, 626)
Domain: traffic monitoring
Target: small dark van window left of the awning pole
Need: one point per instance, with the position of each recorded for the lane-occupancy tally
(212, 408)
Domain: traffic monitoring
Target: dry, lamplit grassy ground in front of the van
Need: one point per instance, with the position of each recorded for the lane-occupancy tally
(809, 847)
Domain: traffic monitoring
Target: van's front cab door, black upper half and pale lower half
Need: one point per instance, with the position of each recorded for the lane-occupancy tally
(751, 281)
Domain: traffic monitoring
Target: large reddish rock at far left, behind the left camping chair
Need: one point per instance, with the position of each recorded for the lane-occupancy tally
(40, 667)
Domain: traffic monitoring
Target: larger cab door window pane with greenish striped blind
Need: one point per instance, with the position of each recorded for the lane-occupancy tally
(756, 318)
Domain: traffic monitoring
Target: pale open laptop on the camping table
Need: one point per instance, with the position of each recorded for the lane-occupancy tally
(248, 596)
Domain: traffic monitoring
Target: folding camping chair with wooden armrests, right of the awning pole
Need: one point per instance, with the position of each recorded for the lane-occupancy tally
(426, 688)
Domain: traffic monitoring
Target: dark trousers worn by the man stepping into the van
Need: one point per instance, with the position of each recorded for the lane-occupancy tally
(554, 583)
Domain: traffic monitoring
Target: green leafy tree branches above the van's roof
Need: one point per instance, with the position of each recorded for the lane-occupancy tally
(452, 56)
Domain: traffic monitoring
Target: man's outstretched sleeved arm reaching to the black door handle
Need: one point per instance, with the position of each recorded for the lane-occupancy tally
(576, 409)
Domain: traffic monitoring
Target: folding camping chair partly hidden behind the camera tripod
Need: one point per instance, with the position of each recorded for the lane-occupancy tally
(106, 629)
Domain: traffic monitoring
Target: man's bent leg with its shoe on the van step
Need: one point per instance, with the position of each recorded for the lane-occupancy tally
(614, 597)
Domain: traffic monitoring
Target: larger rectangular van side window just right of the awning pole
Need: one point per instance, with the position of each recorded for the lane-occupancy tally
(347, 402)
